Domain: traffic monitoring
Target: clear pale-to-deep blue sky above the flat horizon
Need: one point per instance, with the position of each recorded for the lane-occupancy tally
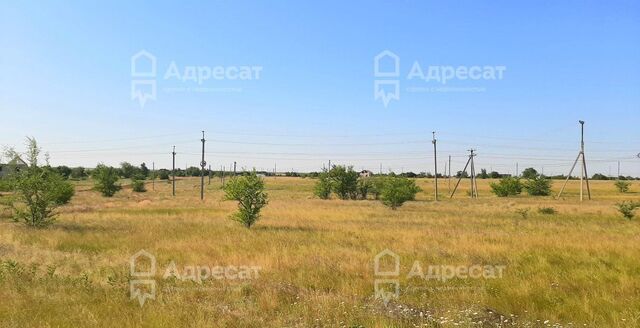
(65, 78)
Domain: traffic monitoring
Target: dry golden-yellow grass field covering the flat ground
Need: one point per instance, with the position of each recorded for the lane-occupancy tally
(579, 267)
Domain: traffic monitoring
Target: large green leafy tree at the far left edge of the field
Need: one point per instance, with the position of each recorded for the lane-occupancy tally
(38, 190)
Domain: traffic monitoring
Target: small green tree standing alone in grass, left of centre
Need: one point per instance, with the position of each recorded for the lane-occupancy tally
(248, 190)
